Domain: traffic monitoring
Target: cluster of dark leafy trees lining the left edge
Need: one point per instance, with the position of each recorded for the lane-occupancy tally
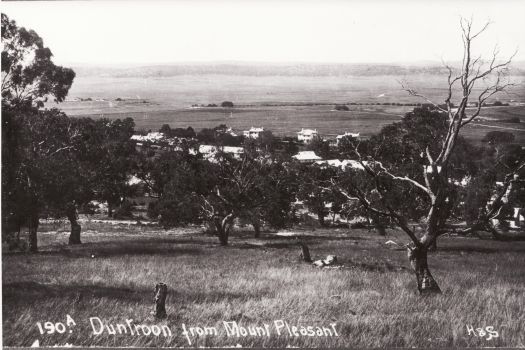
(52, 165)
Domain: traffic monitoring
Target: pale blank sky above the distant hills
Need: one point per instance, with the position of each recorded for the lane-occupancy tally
(374, 31)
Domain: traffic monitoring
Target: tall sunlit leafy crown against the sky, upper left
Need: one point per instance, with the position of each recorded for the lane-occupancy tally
(29, 76)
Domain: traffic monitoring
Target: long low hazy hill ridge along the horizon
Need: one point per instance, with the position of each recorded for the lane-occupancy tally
(260, 69)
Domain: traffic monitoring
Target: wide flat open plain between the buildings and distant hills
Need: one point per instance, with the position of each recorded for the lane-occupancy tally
(282, 104)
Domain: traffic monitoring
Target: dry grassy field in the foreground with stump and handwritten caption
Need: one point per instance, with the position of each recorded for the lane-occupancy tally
(372, 299)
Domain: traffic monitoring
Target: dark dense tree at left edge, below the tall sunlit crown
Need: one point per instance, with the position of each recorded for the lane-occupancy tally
(38, 177)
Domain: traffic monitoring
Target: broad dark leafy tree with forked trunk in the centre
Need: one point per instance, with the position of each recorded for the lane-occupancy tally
(219, 191)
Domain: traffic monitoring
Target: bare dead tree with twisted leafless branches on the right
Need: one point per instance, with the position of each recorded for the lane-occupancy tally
(474, 73)
